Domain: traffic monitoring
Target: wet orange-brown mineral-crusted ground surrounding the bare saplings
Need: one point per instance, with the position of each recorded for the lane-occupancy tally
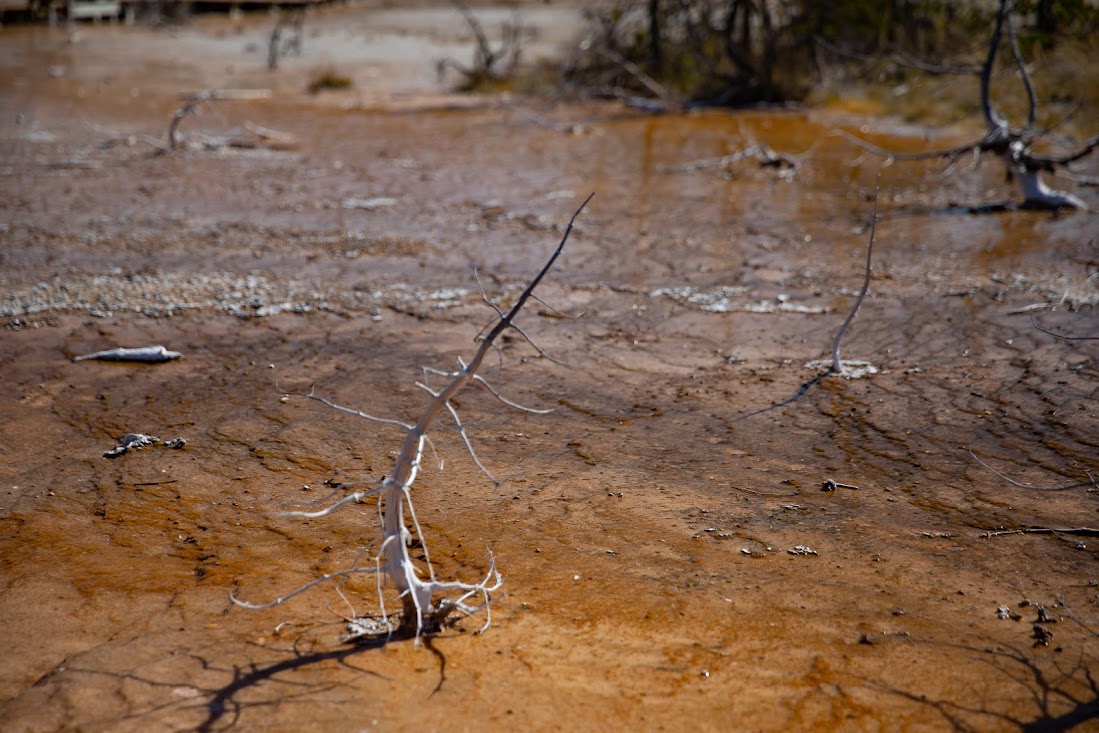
(647, 529)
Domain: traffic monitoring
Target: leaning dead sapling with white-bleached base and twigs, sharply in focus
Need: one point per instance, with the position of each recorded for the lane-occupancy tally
(426, 603)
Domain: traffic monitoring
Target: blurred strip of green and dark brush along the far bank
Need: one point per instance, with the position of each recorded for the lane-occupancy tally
(742, 52)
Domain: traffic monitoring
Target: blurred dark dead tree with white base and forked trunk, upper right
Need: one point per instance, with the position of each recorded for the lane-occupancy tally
(1013, 145)
